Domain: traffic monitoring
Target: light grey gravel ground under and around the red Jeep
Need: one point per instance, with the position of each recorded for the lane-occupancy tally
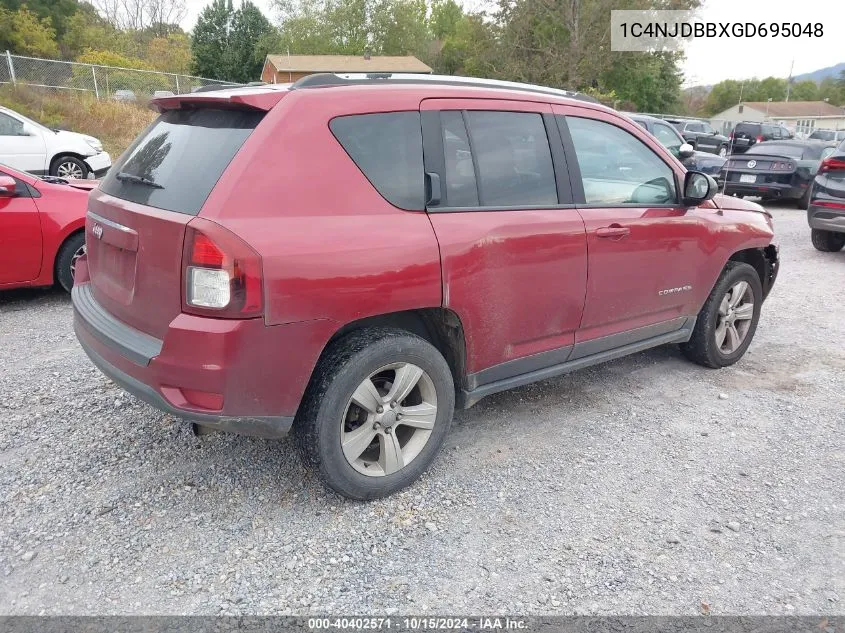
(644, 486)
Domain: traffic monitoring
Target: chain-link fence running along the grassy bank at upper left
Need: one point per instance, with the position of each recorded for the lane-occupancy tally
(102, 82)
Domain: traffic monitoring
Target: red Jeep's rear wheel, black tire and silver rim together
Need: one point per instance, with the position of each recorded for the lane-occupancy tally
(376, 413)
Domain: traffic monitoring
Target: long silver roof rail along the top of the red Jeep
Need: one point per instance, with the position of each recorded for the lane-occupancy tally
(324, 80)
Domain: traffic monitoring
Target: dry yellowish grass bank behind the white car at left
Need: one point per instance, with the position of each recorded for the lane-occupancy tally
(116, 124)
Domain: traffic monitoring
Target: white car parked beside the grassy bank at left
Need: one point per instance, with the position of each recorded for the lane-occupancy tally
(29, 146)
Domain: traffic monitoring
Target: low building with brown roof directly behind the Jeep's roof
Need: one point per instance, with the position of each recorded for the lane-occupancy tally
(280, 69)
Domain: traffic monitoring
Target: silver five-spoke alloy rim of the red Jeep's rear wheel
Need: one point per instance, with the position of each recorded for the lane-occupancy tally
(389, 419)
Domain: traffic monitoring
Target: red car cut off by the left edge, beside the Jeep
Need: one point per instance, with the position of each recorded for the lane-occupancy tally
(42, 228)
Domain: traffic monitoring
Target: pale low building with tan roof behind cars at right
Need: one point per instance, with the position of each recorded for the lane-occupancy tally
(802, 117)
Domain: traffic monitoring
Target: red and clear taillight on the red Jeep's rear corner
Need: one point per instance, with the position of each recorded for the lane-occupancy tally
(221, 272)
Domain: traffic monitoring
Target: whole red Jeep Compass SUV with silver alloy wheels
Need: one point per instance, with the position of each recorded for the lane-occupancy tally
(355, 256)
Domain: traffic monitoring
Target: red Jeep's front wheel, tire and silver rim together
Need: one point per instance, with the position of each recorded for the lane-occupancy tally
(727, 322)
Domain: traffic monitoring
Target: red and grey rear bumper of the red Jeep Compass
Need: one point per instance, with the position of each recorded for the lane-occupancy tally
(202, 372)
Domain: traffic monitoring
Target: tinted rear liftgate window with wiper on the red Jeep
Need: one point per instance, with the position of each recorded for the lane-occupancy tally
(175, 164)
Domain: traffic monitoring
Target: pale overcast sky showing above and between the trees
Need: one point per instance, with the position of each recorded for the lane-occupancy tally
(711, 61)
